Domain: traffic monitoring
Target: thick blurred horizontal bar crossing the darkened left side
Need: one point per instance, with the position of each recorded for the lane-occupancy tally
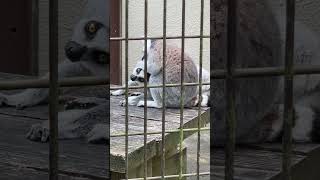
(44, 83)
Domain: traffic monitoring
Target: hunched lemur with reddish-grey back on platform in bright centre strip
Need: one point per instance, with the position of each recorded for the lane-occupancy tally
(172, 75)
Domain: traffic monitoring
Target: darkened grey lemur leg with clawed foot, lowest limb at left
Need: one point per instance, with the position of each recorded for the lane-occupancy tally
(73, 124)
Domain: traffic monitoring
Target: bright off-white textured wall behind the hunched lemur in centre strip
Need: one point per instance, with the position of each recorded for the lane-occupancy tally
(155, 27)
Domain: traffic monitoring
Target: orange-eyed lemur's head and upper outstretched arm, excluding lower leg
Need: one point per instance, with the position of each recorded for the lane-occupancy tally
(87, 53)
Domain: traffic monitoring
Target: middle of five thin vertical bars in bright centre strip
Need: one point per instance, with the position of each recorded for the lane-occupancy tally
(163, 149)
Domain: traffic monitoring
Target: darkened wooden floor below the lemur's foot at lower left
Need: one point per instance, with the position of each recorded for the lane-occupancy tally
(17, 154)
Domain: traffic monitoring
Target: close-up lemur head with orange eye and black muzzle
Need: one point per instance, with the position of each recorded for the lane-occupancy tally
(90, 36)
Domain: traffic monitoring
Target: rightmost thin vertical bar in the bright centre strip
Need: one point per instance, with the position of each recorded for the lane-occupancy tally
(200, 88)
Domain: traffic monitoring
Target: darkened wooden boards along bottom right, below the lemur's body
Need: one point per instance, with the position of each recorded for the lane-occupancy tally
(264, 162)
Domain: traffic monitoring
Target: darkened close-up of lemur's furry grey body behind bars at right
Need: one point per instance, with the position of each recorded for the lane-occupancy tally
(259, 100)
